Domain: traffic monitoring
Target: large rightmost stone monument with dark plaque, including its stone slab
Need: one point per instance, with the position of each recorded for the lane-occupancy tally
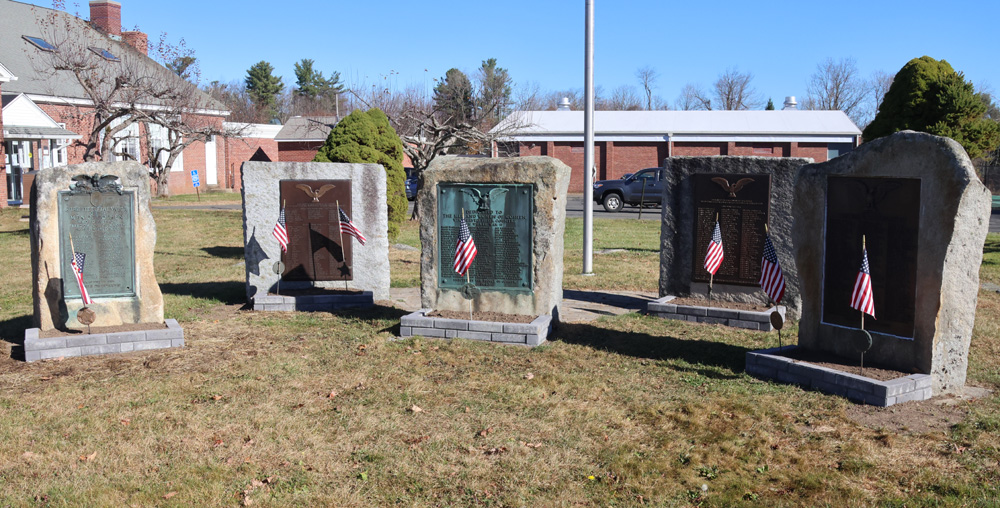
(924, 215)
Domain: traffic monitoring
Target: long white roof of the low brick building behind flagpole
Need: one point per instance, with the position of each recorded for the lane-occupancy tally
(542, 124)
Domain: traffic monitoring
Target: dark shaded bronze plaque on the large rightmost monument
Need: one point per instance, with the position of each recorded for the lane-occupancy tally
(887, 212)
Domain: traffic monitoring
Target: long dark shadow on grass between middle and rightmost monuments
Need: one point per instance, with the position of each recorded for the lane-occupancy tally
(642, 345)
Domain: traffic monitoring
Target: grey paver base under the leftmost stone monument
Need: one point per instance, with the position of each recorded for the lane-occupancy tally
(36, 348)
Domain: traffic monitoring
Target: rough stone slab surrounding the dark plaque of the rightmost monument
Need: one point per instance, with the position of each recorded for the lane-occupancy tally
(954, 221)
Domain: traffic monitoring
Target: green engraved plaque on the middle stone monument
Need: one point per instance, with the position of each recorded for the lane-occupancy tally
(500, 218)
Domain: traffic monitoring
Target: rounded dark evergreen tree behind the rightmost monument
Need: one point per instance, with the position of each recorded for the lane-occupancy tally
(928, 95)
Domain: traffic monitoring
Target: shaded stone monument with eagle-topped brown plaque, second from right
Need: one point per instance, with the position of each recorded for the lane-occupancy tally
(744, 194)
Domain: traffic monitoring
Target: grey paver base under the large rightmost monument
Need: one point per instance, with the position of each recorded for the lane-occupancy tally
(766, 364)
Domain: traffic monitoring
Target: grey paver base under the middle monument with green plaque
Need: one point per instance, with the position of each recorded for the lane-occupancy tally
(532, 334)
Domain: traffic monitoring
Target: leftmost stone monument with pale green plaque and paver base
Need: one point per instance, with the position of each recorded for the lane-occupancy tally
(101, 211)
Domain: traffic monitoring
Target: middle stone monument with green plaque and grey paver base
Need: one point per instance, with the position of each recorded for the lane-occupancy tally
(515, 209)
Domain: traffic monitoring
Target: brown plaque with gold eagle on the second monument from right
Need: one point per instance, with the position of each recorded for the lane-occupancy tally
(742, 203)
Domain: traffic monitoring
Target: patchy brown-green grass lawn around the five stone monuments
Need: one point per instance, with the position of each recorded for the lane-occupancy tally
(314, 409)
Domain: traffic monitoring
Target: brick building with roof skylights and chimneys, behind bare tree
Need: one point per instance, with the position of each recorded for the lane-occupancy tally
(27, 77)
